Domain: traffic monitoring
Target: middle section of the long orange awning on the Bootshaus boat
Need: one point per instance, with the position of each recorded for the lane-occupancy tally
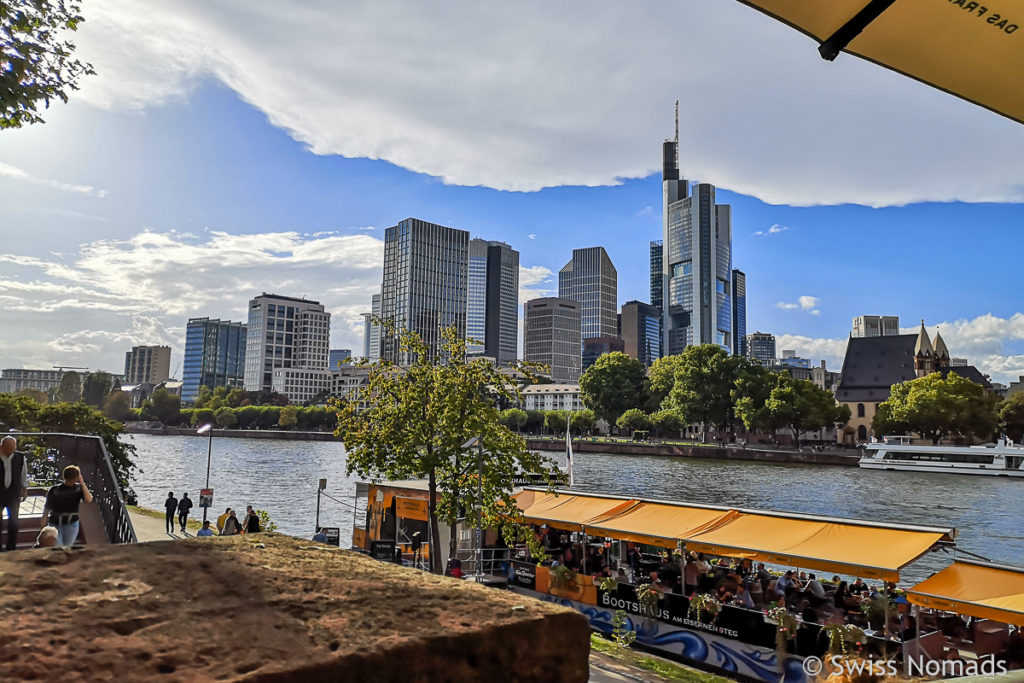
(661, 524)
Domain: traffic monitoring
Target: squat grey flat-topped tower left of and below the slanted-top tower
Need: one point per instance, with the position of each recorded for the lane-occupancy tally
(551, 336)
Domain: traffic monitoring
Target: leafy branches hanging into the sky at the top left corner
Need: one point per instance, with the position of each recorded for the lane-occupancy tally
(36, 64)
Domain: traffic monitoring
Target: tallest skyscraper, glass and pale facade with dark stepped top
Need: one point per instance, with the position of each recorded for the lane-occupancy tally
(698, 262)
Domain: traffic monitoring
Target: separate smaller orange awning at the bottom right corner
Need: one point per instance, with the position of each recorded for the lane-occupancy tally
(975, 589)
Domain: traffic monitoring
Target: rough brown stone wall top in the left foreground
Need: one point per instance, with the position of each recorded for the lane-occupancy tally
(266, 608)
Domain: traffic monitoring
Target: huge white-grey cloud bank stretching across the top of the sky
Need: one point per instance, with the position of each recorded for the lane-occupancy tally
(495, 95)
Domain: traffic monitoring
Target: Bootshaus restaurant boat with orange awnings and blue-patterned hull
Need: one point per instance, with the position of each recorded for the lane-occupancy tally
(737, 642)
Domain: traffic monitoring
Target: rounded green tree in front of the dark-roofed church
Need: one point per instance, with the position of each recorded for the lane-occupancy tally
(936, 408)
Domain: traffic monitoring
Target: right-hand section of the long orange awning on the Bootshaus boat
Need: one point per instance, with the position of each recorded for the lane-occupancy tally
(861, 549)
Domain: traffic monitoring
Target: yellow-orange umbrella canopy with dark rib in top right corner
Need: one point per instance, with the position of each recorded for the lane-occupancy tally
(974, 51)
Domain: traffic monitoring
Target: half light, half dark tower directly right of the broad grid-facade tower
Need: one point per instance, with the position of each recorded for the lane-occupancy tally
(493, 309)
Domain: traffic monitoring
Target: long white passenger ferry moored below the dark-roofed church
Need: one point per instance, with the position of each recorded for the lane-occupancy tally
(895, 453)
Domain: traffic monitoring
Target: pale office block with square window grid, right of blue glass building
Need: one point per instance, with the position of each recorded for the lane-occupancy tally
(285, 333)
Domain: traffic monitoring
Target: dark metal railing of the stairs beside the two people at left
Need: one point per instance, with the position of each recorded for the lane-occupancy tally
(90, 454)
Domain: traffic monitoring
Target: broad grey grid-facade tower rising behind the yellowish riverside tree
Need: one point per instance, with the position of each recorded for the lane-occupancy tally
(425, 284)
